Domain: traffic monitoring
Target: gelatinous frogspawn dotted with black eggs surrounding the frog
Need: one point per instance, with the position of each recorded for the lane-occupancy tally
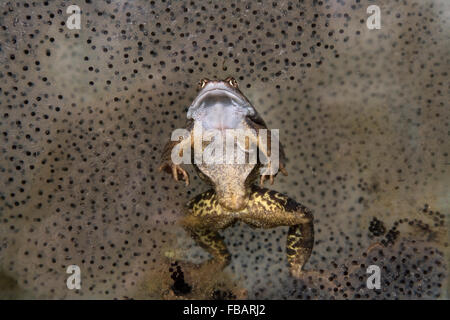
(363, 116)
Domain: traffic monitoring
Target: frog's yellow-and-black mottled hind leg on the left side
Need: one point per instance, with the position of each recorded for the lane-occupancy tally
(205, 217)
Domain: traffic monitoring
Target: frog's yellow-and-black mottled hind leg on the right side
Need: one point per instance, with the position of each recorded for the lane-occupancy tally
(268, 209)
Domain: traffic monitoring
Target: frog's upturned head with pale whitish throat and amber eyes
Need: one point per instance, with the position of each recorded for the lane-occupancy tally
(220, 104)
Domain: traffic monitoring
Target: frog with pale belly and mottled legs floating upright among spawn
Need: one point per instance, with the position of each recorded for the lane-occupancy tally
(235, 194)
